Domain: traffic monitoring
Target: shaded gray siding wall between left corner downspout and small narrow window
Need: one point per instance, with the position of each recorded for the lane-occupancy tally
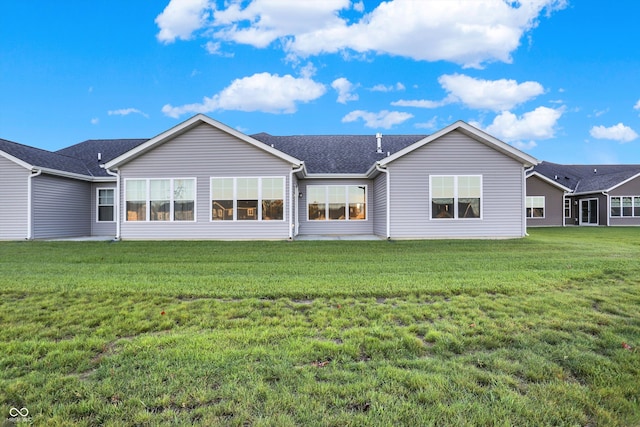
(61, 207)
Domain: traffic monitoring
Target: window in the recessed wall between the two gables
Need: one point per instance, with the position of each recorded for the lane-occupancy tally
(337, 202)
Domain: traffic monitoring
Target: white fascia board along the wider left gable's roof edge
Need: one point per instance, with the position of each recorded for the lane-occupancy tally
(187, 125)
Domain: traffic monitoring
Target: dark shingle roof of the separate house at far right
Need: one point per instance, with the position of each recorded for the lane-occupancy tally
(587, 178)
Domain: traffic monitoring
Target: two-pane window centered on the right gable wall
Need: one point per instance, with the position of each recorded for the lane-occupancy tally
(454, 196)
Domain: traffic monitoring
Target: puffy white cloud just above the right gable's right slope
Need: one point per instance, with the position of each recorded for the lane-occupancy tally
(534, 125)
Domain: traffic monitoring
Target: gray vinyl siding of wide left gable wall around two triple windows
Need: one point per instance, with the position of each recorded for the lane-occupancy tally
(202, 153)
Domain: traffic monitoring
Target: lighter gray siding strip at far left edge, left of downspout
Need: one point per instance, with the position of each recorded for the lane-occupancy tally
(13, 200)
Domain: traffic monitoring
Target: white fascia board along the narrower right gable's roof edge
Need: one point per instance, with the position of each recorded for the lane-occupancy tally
(474, 133)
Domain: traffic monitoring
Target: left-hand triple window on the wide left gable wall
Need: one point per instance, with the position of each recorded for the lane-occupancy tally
(160, 199)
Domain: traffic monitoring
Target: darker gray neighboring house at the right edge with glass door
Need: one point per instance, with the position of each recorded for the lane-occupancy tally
(559, 195)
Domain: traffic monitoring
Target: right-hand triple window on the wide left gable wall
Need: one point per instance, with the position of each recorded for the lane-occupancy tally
(247, 199)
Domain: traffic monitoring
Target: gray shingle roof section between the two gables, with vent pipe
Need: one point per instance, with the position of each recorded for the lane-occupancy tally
(338, 154)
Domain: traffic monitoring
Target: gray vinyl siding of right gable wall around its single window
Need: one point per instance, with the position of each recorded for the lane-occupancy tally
(457, 154)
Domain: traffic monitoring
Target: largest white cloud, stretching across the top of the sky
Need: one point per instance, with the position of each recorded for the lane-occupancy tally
(469, 33)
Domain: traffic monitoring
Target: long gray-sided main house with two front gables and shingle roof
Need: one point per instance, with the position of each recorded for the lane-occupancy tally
(204, 180)
